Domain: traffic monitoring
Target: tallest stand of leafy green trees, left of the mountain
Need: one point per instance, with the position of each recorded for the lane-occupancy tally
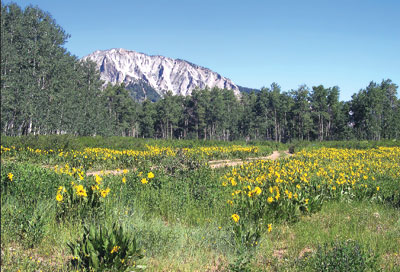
(44, 89)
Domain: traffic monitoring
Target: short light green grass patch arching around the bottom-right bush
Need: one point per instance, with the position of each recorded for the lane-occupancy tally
(375, 226)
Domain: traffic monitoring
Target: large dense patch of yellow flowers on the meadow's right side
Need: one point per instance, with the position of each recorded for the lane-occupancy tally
(299, 180)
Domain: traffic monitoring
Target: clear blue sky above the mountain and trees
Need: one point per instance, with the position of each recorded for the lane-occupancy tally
(345, 43)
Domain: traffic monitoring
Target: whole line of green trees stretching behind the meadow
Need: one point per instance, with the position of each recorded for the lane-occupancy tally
(46, 90)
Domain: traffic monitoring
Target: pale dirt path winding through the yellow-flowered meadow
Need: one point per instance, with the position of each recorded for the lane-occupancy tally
(213, 164)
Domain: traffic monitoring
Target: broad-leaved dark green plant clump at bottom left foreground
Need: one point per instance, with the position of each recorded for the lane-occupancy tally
(105, 249)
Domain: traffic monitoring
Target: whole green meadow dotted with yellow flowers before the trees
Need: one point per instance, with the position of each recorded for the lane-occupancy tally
(124, 204)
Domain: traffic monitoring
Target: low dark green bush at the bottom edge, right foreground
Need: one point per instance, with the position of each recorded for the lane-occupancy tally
(340, 256)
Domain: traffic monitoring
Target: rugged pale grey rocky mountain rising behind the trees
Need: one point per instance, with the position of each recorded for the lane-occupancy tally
(152, 76)
